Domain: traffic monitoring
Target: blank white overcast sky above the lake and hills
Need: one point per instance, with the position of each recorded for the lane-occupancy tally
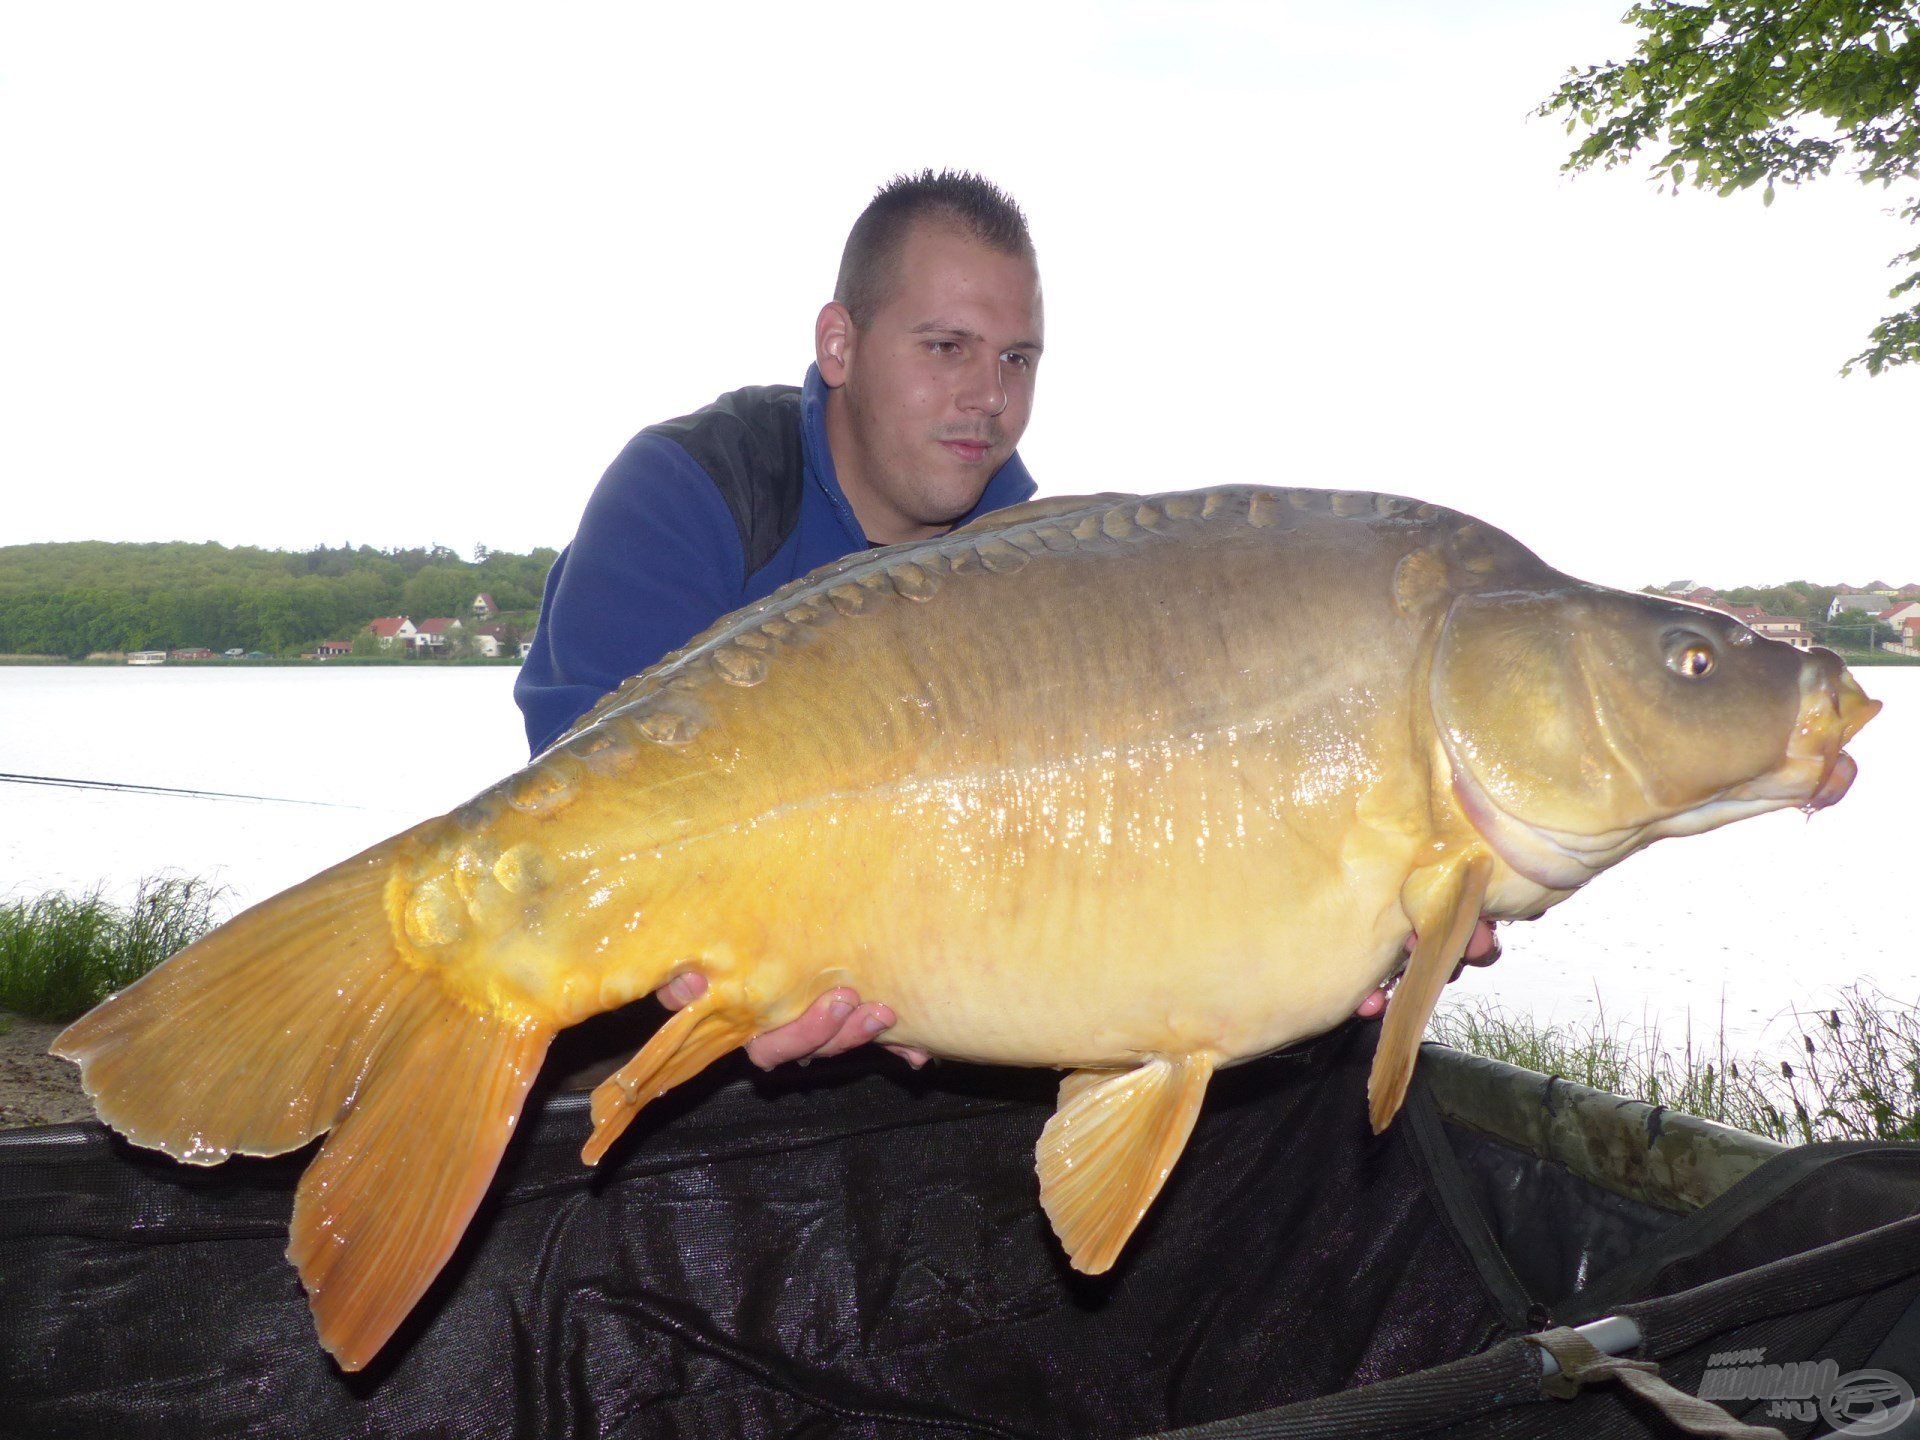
(414, 274)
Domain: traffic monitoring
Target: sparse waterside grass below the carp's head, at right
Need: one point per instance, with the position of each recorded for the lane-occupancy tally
(1854, 1072)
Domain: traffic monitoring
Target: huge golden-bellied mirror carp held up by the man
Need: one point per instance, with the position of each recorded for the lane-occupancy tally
(1132, 788)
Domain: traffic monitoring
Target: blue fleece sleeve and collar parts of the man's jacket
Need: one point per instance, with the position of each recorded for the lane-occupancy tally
(660, 558)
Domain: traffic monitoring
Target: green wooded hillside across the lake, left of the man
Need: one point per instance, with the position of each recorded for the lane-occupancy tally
(97, 596)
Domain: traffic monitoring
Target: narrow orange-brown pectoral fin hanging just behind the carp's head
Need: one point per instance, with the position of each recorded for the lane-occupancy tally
(1445, 905)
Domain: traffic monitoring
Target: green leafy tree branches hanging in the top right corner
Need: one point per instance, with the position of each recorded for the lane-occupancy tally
(1737, 93)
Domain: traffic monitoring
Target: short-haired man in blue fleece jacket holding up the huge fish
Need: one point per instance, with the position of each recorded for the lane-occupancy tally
(923, 385)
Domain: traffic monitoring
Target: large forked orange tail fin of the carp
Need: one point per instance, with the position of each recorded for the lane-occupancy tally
(302, 1017)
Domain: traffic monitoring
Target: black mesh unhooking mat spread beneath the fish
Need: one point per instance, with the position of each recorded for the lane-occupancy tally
(852, 1251)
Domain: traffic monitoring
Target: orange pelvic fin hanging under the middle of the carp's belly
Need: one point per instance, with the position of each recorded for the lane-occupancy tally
(1111, 1147)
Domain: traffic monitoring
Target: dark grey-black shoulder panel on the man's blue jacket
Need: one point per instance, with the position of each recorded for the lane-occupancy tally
(750, 444)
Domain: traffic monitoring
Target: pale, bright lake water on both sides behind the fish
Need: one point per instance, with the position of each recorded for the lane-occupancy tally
(1737, 926)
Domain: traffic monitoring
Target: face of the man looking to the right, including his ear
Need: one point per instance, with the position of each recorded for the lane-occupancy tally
(932, 396)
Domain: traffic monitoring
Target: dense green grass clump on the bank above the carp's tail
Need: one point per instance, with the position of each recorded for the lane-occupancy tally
(60, 955)
